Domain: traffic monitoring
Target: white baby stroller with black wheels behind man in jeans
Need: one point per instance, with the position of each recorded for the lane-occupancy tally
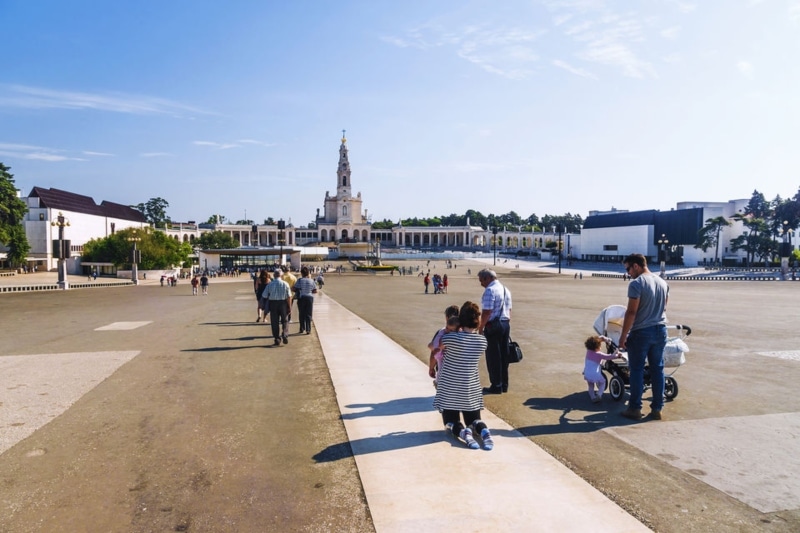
(616, 371)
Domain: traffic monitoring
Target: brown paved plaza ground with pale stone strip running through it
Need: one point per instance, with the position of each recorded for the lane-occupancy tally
(144, 408)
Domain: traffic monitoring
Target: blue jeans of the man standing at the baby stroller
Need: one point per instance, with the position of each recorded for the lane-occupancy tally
(647, 345)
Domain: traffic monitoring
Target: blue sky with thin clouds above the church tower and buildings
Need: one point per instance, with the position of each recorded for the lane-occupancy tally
(544, 107)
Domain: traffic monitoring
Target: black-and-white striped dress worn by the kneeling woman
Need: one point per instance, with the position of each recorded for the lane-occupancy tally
(459, 384)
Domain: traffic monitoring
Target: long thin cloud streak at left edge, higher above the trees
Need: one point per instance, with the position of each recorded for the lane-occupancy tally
(22, 96)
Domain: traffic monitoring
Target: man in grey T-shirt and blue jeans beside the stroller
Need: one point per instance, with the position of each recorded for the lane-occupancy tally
(644, 334)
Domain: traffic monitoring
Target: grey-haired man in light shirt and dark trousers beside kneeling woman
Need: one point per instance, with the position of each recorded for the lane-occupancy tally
(496, 326)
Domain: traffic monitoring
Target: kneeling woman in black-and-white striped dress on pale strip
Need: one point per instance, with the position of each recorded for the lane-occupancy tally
(459, 386)
